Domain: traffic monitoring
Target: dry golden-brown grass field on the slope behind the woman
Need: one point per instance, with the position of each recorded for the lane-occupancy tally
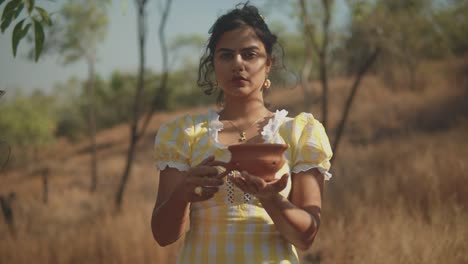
(399, 192)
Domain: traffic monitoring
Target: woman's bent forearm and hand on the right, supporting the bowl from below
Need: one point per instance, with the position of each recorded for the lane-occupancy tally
(297, 219)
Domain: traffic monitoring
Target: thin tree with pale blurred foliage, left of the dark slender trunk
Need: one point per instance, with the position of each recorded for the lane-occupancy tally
(80, 27)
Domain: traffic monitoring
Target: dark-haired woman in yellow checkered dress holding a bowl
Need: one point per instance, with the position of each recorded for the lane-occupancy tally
(239, 218)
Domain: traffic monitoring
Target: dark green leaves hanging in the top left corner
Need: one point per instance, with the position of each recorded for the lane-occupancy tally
(36, 17)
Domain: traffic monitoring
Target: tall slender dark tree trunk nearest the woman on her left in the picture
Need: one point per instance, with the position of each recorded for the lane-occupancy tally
(134, 137)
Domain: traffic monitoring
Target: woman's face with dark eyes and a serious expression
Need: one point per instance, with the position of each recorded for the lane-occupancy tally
(241, 63)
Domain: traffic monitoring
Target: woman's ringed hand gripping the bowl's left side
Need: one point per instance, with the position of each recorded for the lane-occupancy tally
(202, 182)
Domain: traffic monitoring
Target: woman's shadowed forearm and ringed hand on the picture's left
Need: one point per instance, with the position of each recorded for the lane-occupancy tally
(175, 193)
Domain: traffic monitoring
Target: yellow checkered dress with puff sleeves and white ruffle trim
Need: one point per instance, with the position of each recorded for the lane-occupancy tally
(233, 227)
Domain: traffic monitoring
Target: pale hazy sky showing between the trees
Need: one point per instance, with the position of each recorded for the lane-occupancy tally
(119, 49)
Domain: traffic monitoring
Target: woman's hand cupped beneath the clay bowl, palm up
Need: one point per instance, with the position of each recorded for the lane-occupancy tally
(257, 186)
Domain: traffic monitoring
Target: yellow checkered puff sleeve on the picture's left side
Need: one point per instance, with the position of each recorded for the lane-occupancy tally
(172, 146)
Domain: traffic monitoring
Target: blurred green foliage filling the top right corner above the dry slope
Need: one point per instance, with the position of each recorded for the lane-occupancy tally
(407, 32)
